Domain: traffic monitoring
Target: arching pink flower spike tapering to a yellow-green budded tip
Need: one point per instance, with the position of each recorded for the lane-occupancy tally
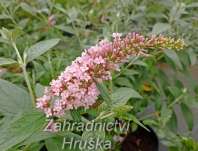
(75, 87)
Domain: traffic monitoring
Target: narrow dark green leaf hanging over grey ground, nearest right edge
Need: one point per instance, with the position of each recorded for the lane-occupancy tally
(188, 115)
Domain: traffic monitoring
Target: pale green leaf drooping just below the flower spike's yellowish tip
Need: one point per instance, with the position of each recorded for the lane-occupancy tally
(174, 58)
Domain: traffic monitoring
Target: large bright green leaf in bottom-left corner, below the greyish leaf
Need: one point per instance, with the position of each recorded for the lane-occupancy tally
(20, 128)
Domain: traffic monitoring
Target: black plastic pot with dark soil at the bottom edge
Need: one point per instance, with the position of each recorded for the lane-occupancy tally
(140, 140)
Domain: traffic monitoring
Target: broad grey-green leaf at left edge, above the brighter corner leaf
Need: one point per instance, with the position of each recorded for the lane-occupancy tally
(13, 99)
